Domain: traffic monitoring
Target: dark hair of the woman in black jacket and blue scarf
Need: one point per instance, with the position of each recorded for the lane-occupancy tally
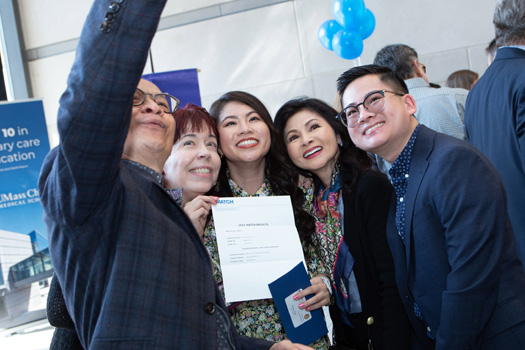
(353, 160)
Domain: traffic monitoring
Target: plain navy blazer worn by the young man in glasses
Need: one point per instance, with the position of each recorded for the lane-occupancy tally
(459, 262)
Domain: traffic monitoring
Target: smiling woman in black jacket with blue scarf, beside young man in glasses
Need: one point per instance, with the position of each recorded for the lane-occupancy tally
(350, 206)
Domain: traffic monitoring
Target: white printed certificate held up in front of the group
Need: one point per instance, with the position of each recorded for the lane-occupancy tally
(258, 243)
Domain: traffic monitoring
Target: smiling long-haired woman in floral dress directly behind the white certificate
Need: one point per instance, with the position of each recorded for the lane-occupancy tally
(254, 164)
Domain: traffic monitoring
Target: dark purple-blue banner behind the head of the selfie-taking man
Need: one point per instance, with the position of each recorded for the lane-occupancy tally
(183, 84)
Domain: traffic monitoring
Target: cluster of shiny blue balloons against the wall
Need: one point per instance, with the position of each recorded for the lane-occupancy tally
(353, 23)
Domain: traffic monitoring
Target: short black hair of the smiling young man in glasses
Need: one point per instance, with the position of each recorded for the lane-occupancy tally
(386, 75)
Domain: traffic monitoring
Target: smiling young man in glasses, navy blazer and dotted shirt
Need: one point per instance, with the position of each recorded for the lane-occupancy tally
(456, 266)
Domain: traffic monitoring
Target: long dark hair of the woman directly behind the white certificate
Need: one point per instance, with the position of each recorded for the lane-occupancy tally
(279, 171)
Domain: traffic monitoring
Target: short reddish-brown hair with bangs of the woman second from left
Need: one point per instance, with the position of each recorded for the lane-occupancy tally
(193, 118)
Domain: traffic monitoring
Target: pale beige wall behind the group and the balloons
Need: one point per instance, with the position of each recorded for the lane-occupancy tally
(272, 51)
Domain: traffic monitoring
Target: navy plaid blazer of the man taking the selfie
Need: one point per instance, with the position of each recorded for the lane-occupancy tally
(134, 272)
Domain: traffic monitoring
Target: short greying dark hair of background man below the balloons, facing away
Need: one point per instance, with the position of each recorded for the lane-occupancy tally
(399, 58)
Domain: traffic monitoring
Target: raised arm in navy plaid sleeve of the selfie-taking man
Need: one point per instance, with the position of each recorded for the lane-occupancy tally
(95, 110)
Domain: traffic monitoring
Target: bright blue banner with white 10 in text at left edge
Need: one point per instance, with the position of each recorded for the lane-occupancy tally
(24, 143)
